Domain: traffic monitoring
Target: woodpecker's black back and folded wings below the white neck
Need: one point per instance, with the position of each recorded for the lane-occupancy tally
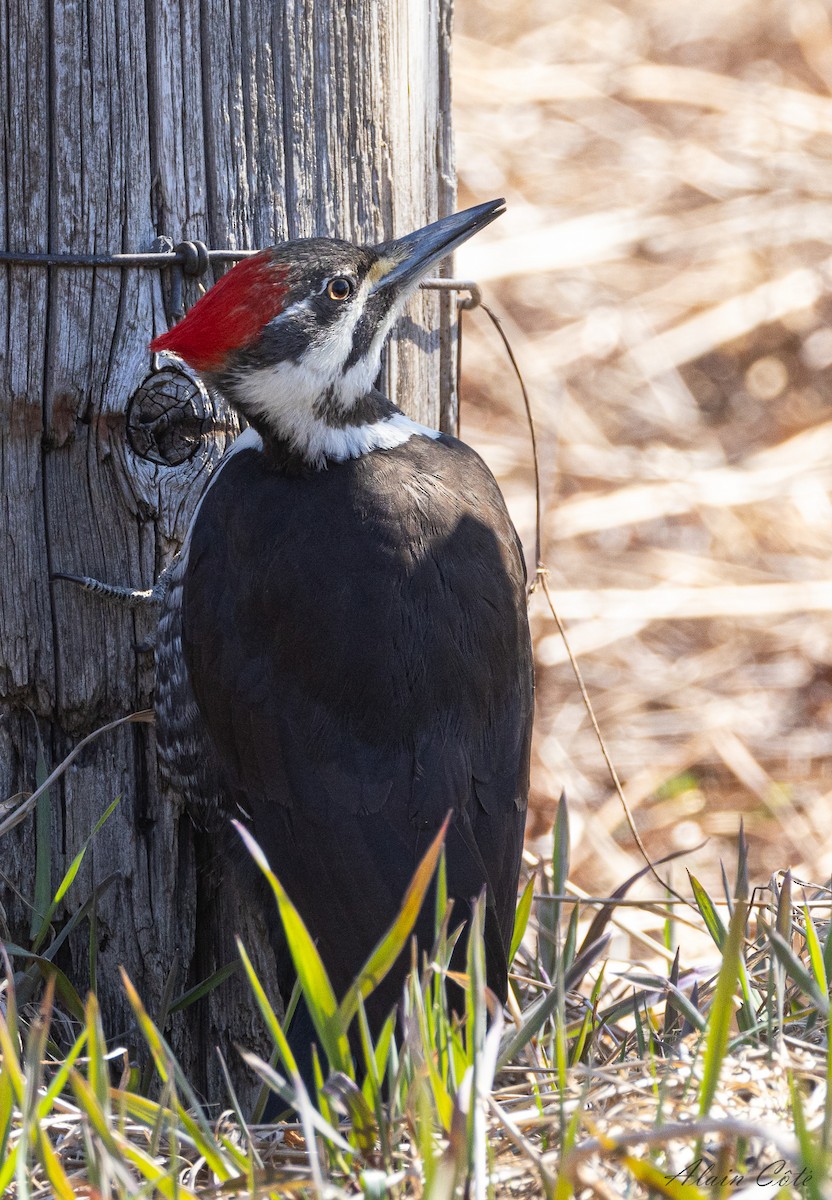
(358, 647)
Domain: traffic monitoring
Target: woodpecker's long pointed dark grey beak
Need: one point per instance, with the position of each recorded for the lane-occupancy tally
(405, 261)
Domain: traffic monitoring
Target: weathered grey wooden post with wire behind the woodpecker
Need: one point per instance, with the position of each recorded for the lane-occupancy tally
(237, 124)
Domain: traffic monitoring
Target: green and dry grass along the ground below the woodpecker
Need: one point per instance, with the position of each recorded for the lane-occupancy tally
(606, 1078)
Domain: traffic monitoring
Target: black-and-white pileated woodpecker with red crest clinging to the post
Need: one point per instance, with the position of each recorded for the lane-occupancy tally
(344, 650)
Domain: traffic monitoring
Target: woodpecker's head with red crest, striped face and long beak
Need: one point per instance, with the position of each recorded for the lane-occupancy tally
(294, 335)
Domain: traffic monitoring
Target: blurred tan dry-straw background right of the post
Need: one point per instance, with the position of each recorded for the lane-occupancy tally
(665, 274)
